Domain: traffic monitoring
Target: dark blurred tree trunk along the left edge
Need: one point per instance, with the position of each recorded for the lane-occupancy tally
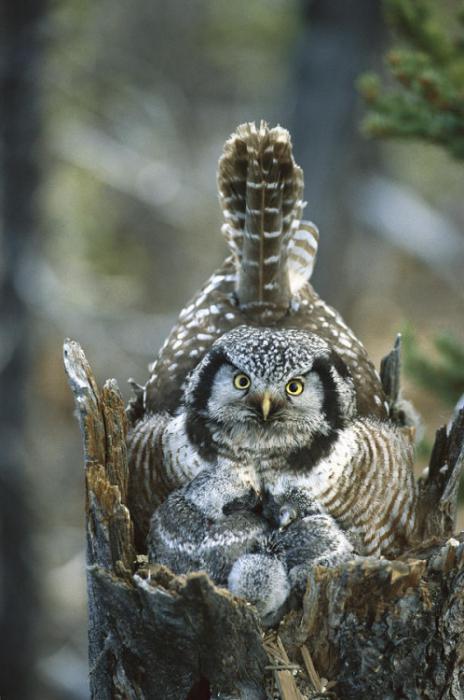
(20, 123)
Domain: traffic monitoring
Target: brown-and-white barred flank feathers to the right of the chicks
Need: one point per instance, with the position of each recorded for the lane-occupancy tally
(369, 489)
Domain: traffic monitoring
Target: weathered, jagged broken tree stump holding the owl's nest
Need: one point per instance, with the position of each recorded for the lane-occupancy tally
(371, 628)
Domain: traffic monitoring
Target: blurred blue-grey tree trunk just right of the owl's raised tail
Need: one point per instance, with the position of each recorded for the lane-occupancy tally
(338, 41)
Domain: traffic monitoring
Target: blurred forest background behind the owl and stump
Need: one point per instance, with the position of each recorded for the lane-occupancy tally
(113, 118)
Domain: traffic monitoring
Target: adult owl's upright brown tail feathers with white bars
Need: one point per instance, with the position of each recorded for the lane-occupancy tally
(261, 189)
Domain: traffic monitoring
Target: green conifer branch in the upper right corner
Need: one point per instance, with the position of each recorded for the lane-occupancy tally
(427, 68)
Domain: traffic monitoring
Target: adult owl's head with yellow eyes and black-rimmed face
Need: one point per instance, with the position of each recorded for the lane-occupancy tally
(269, 387)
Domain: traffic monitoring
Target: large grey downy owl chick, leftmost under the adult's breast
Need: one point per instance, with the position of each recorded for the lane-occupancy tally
(208, 524)
